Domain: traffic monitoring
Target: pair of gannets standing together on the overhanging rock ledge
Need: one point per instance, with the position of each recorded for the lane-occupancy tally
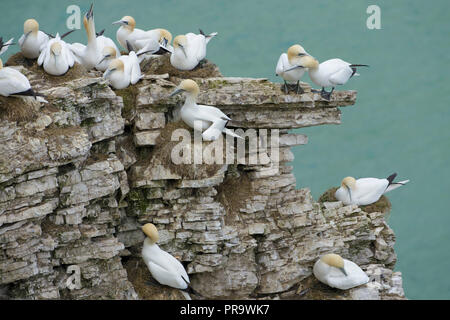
(330, 73)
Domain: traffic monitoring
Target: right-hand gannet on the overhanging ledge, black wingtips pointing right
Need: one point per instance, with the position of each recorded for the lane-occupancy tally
(330, 73)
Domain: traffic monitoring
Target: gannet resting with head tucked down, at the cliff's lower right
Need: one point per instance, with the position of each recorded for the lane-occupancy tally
(340, 273)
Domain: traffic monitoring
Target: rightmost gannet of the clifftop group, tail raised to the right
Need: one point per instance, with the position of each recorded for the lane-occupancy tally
(189, 50)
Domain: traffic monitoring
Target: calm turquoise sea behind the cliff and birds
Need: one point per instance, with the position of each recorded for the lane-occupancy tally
(400, 122)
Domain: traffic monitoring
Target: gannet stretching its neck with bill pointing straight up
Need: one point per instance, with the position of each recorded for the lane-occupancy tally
(91, 54)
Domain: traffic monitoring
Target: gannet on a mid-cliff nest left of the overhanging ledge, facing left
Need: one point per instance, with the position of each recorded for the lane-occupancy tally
(207, 118)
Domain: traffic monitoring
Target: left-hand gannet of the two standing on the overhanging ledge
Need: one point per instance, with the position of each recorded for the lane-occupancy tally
(287, 61)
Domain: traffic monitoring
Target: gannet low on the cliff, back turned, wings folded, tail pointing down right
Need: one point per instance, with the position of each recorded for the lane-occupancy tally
(163, 267)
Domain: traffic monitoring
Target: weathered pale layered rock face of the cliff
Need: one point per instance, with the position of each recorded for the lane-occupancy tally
(78, 180)
